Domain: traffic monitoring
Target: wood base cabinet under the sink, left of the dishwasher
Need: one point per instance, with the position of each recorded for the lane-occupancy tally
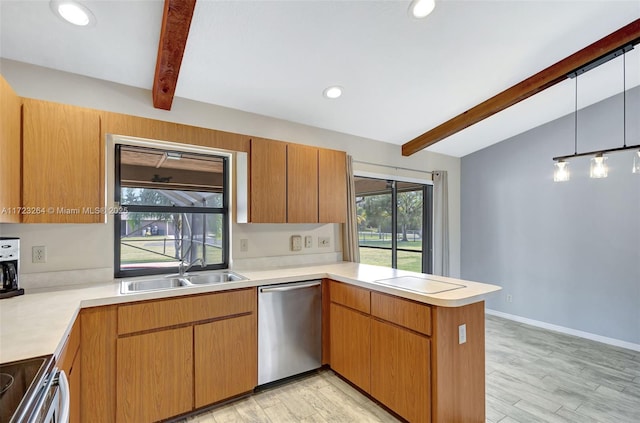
(154, 360)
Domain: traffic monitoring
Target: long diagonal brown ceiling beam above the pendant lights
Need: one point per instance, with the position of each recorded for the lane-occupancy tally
(629, 34)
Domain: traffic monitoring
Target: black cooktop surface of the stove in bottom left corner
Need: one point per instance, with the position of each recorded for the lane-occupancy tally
(19, 380)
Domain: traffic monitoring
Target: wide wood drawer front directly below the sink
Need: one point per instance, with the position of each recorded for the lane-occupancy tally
(177, 311)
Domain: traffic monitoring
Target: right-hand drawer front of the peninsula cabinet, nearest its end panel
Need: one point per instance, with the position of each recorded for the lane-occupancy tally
(410, 314)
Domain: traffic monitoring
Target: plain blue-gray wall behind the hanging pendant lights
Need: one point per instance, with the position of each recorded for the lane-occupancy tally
(568, 253)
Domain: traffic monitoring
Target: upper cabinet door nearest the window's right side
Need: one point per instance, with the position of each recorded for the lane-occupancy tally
(268, 181)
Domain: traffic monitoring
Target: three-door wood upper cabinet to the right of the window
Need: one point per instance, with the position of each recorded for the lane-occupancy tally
(293, 183)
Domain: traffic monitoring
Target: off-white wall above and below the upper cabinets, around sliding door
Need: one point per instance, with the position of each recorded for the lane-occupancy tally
(88, 246)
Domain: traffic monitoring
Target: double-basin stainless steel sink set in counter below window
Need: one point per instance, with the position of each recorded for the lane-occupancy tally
(176, 281)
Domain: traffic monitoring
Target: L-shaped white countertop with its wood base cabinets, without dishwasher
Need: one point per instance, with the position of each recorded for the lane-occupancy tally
(419, 354)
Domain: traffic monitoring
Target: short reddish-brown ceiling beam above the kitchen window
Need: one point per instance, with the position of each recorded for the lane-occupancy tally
(176, 21)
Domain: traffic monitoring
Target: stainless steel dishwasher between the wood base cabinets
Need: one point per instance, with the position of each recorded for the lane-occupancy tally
(289, 329)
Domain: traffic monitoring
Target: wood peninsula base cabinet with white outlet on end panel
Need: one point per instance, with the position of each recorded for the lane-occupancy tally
(407, 354)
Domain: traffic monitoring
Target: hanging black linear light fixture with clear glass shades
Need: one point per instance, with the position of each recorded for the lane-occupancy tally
(598, 167)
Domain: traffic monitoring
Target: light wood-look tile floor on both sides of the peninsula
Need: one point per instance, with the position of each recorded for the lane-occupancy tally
(533, 376)
